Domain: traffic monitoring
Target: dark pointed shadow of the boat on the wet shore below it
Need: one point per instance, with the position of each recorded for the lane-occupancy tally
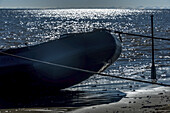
(61, 99)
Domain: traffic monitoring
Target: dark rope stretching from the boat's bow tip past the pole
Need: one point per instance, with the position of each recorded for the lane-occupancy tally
(142, 35)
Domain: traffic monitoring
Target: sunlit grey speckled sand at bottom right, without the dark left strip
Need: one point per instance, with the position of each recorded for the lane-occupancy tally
(148, 100)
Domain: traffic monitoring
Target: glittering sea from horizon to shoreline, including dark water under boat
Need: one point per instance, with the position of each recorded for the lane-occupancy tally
(20, 26)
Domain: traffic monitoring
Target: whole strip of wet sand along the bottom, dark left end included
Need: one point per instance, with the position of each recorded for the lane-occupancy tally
(146, 100)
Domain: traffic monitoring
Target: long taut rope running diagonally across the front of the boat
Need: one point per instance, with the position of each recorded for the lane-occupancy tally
(82, 70)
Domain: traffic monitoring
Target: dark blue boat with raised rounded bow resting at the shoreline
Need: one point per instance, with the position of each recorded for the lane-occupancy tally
(92, 51)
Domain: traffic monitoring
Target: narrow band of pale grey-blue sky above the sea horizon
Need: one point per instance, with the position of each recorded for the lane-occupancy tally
(85, 4)
